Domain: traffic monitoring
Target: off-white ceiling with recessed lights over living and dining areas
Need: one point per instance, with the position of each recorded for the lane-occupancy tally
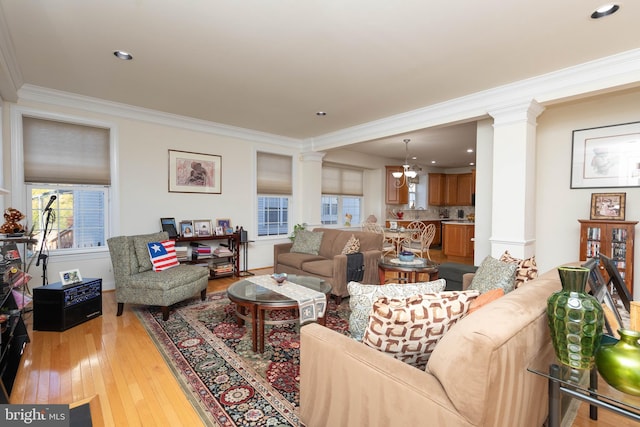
(269, 66)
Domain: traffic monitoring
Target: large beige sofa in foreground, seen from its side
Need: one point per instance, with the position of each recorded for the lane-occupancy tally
(476, 376)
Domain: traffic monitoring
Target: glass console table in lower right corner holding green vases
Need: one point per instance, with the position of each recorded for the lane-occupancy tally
(566, 383)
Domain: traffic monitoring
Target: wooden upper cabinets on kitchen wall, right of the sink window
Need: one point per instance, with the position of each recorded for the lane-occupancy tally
(451, 189)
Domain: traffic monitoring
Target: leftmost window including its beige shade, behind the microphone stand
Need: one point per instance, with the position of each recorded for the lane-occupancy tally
(67, 169)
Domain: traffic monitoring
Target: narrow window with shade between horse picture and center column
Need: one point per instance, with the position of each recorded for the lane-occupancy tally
(274, 184)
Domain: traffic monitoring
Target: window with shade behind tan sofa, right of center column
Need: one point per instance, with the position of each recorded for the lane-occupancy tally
(341, 195)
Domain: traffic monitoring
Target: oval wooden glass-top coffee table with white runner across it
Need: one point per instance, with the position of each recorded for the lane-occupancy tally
(253, 301)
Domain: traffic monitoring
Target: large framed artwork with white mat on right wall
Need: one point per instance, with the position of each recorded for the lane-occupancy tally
(607, 156)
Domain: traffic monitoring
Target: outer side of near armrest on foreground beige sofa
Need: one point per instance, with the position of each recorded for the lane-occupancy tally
(345, 383)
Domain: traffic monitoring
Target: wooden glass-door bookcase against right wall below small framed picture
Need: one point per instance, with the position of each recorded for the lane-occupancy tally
(613, 239)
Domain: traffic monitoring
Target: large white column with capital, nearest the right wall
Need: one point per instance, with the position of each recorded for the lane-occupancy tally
(514, 164)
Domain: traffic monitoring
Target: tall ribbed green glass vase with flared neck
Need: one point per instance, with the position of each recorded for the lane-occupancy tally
(575, 319)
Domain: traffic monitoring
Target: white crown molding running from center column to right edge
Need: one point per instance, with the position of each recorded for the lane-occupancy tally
(614, 71)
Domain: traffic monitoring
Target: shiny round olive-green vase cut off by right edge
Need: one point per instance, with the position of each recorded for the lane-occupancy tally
(619, 363)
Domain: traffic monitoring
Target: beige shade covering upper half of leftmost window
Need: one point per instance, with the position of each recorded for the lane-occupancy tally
(65, 153)
